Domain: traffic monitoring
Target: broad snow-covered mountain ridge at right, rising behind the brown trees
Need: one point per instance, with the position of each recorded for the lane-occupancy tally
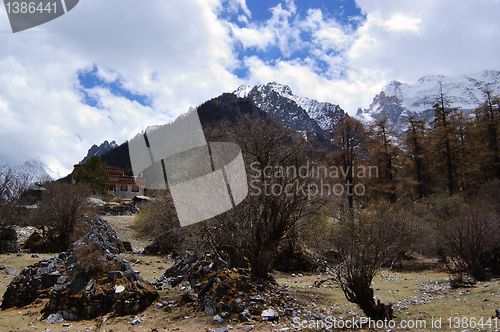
(397, 100)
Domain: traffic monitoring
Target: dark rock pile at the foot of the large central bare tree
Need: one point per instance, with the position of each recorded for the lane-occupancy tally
(217, 289)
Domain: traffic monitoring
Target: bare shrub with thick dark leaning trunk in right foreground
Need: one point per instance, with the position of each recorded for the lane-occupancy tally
(365, 241)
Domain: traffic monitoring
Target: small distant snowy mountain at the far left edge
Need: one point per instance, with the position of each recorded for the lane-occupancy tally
(15, 179)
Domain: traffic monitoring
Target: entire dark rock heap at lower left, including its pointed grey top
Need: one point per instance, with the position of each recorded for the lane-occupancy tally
(87, 281)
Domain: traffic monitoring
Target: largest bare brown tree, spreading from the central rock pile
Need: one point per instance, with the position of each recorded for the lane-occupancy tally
(278, 195)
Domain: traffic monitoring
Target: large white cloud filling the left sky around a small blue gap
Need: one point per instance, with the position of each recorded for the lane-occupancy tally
(177, 52)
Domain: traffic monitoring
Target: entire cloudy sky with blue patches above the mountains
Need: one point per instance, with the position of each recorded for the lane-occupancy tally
(100, 70)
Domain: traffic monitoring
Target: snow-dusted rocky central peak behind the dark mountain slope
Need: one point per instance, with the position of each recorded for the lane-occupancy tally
(300, 113)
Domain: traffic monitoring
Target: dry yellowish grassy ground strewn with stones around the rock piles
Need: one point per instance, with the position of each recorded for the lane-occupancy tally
(416, 295)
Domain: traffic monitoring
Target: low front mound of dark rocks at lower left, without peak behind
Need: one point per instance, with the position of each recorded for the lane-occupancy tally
(116, 289)
